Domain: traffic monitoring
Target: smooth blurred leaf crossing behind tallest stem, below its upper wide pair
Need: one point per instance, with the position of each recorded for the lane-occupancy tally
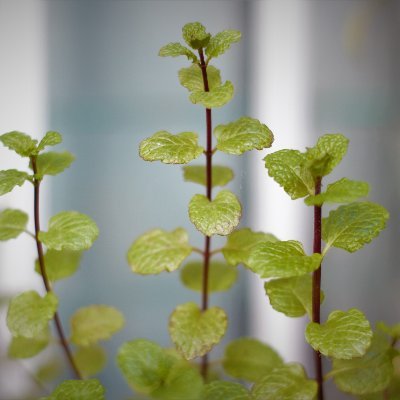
(220, 176)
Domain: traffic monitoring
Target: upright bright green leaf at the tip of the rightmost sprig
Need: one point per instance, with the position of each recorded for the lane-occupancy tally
(327, 153)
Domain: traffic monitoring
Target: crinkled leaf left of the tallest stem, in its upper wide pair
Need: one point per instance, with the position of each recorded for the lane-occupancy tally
(171, 149)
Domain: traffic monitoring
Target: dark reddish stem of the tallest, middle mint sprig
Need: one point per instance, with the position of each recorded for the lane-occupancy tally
(207, 244)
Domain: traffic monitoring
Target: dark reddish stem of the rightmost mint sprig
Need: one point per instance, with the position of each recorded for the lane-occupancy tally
(316, 293)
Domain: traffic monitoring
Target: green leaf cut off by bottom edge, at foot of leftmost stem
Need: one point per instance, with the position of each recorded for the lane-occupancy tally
(90, 389)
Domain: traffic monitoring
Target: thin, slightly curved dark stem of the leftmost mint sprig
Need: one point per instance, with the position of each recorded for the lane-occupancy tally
(59, 328)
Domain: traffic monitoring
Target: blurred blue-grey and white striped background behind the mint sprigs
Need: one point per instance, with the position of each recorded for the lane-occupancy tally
(89, 69)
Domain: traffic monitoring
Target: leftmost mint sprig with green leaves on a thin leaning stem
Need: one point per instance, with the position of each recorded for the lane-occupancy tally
(68, 235)
